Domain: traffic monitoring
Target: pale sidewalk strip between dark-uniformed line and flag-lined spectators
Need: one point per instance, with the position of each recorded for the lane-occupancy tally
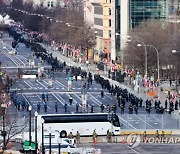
(93, 69)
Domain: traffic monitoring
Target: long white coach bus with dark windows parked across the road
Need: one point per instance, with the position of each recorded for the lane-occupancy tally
(63, 124)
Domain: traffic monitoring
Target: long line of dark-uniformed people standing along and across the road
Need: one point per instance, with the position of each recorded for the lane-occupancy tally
(122, 97)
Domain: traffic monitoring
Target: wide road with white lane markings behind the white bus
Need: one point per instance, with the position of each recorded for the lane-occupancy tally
(30, 91)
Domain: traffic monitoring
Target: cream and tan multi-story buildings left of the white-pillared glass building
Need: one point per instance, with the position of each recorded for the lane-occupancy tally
(98, 14)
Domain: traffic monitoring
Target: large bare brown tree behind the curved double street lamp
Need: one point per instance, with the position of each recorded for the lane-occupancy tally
(152, 32)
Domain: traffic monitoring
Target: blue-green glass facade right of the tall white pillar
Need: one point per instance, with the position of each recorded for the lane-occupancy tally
(141, 10)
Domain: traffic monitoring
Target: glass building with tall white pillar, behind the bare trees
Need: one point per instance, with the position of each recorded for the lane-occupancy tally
(129, 14)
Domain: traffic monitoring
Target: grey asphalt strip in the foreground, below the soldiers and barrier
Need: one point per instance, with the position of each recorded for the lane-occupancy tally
(119, 148)
